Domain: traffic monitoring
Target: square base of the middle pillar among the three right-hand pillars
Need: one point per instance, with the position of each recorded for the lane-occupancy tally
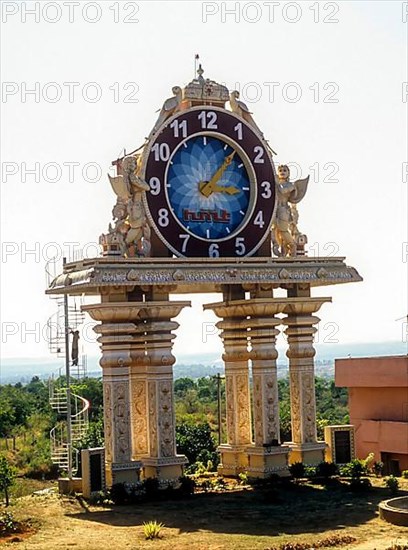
(264, 461)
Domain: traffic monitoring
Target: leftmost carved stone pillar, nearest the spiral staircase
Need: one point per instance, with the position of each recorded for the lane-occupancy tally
(116, 335)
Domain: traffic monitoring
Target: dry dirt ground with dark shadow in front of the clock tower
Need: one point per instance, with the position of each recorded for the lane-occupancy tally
(238, 520)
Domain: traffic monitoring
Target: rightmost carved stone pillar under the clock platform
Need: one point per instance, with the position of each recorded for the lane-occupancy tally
(300, 331)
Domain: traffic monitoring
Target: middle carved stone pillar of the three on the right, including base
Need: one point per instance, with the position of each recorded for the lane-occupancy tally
(266, 456)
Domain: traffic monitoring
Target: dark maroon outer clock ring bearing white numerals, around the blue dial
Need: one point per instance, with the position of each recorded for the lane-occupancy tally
(217, 122)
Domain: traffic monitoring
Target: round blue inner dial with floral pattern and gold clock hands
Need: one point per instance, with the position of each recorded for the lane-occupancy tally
(208, 187)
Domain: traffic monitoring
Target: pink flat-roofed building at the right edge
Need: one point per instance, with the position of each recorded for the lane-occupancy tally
(378, 405)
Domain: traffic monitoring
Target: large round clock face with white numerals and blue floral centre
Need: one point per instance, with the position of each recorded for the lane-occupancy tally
(212, 189)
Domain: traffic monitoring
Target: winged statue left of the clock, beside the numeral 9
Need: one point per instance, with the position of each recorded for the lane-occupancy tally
(131, 230)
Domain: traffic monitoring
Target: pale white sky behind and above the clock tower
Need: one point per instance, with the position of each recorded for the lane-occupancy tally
(326, 82)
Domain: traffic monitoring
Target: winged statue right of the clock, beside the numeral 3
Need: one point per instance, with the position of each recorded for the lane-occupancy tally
(287, 240)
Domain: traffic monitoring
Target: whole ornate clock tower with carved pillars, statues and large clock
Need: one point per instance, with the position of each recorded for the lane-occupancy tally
(200, 207)
